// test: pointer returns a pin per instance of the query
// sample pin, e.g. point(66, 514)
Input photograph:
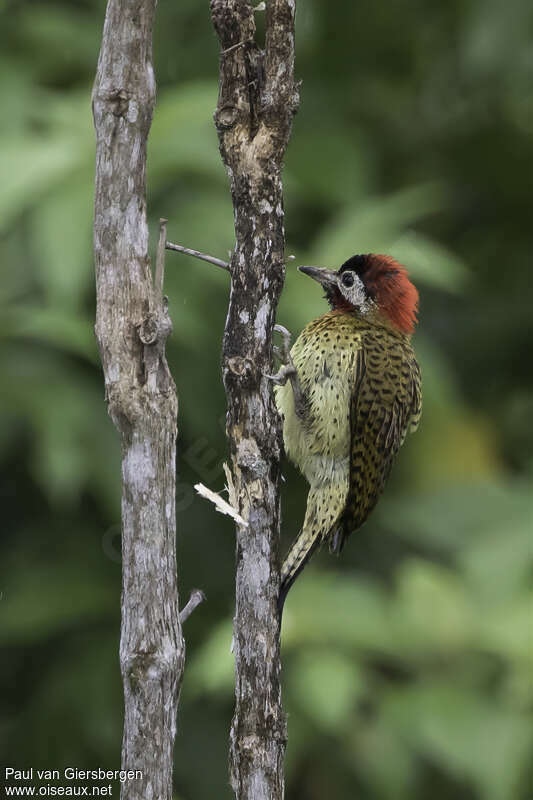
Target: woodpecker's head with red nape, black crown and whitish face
point(370, 284)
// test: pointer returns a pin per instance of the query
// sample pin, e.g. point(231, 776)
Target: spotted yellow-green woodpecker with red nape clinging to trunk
point(348, 392)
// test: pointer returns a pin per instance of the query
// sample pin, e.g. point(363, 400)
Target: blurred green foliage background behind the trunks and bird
point(407, 664)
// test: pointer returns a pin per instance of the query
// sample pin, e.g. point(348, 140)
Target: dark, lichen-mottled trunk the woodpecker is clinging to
point(257, 99)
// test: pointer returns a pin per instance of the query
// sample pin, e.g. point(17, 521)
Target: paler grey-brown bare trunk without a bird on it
point(132, 325)
